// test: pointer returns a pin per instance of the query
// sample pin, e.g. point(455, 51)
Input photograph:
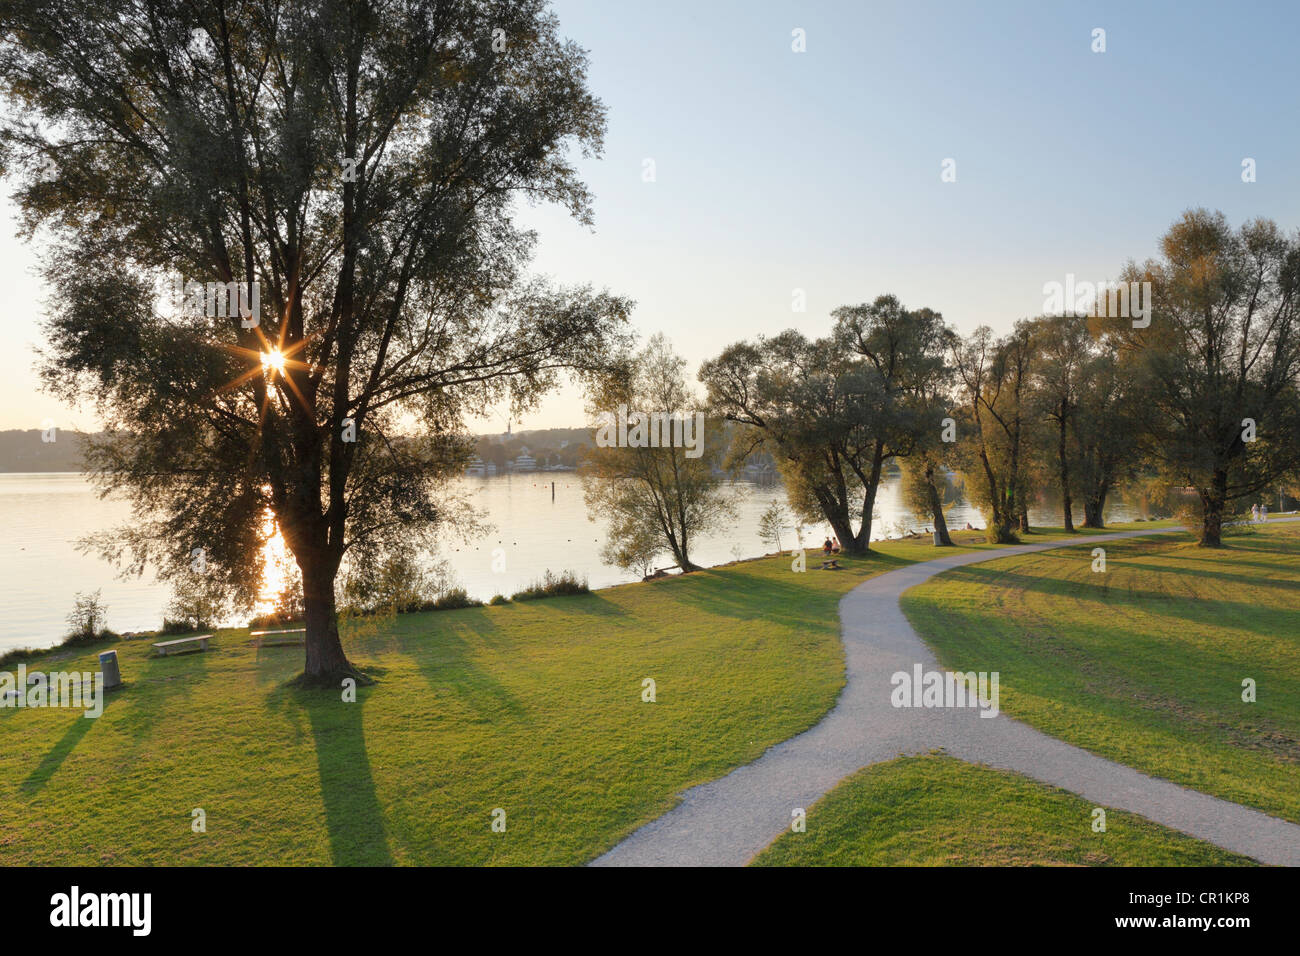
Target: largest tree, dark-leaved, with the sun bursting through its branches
point(361, 163)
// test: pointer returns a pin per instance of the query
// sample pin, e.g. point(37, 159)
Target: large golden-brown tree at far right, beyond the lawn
point(1221, 358)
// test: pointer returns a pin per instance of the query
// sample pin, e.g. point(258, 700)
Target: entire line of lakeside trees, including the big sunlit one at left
point(362, 165)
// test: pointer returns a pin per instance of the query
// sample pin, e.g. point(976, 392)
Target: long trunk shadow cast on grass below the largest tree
point(353, 815)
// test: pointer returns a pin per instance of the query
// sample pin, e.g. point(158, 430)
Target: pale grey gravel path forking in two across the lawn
point(726, 823)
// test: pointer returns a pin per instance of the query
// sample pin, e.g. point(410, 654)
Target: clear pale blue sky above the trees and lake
point(821, 171)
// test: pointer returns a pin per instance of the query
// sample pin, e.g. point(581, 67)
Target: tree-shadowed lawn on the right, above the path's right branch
point(1143, 664)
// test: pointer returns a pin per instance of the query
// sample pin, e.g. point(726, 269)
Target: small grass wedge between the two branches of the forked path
point(937, 811)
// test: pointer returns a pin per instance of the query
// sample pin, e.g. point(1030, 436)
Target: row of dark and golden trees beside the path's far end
point(1204, 399)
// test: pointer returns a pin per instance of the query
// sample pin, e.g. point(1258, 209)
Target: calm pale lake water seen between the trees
point(44, 516)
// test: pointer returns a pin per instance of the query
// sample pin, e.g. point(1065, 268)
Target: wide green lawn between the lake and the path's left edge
point(534, 708)
